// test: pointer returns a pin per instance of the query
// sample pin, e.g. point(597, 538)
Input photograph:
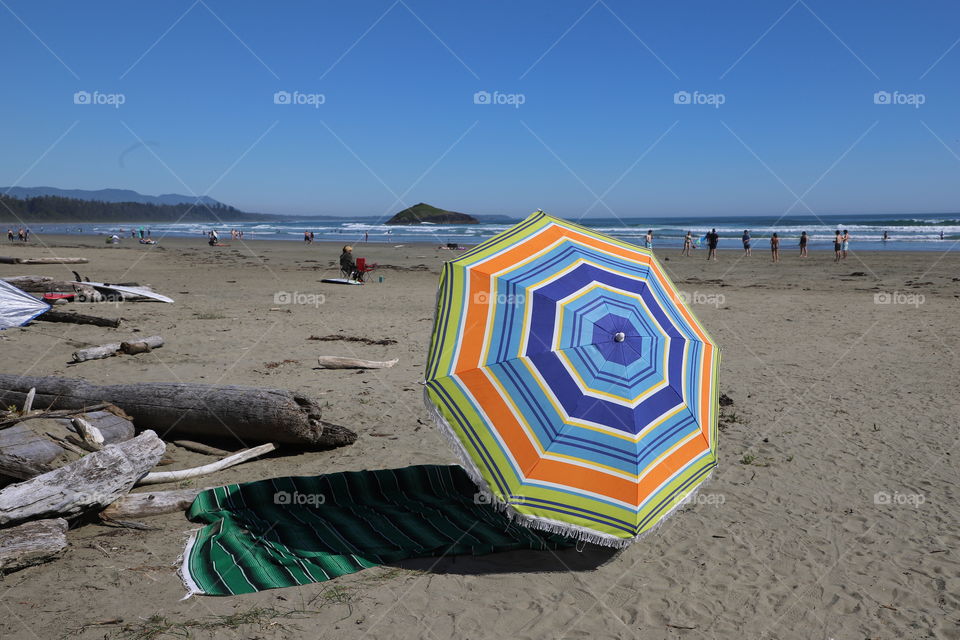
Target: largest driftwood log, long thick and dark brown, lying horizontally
point(249, 414)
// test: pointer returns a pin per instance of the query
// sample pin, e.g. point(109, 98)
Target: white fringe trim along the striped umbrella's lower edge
point(581, 534)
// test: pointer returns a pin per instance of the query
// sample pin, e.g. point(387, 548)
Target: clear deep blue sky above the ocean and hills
point(599, 129)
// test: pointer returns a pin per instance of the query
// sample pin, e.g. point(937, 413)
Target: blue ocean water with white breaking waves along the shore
point(905, 232)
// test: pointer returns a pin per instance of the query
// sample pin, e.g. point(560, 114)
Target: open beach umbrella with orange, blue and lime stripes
point(576, 385)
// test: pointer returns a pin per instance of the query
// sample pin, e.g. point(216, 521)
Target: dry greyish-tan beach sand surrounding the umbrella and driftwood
point(836, 399)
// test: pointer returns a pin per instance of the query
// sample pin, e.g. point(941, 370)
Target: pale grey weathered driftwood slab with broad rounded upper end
point(92, 482)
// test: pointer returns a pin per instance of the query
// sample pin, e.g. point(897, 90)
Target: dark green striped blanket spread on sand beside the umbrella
point(293, 531)
